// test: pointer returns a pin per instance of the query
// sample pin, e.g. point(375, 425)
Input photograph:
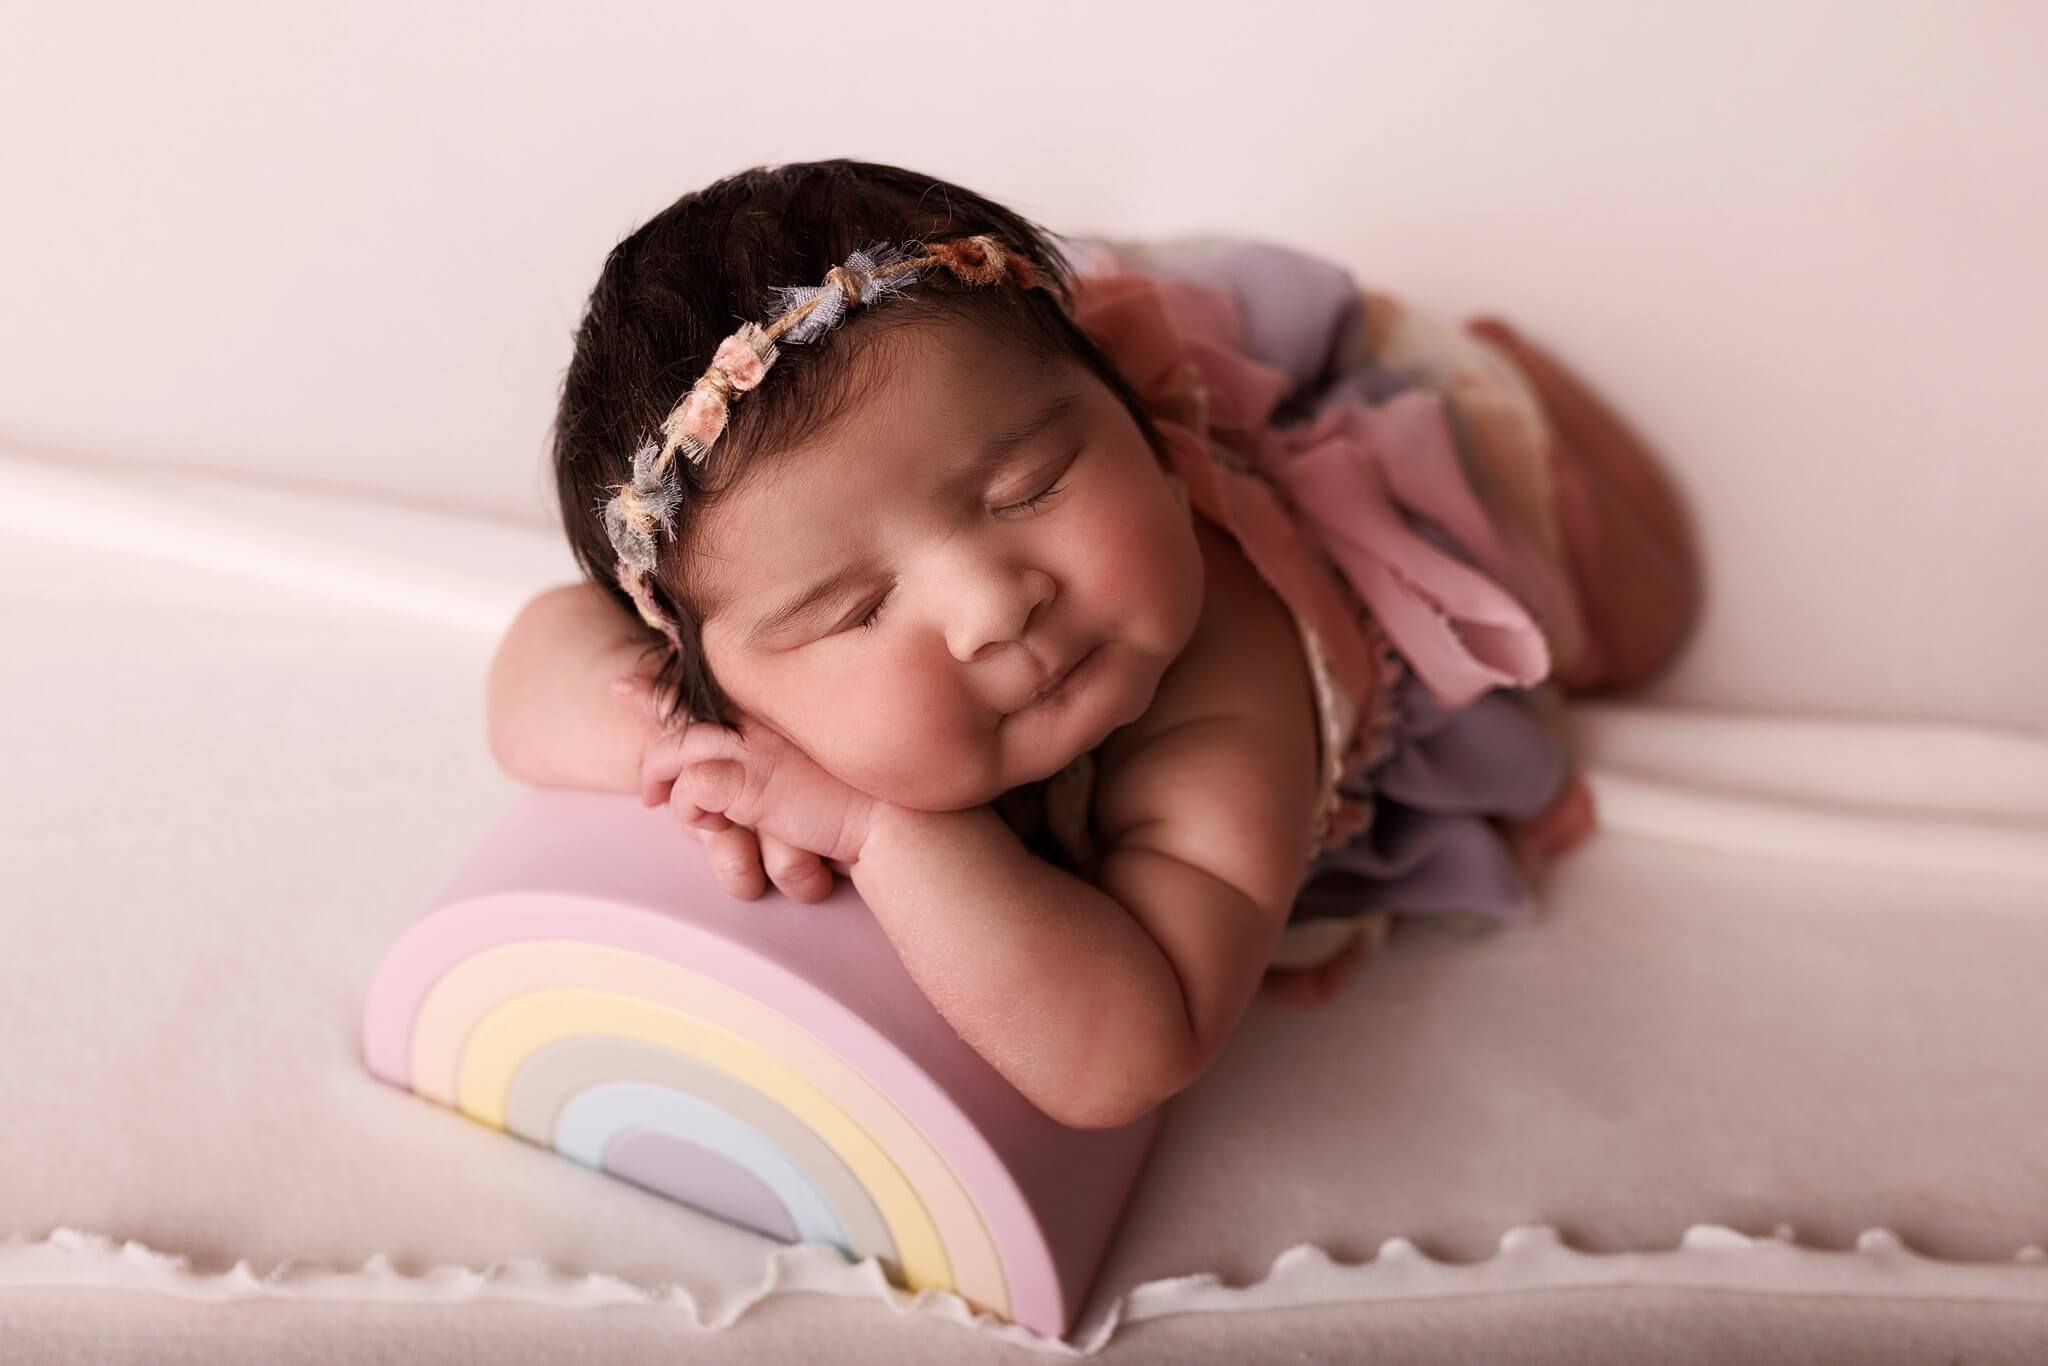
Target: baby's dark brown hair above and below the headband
point(683, 282)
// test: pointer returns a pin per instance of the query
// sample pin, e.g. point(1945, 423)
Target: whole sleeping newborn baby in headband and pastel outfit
point(959, 577)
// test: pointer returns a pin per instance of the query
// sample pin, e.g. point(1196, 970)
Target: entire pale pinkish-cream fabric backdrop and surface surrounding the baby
point(1795, 982)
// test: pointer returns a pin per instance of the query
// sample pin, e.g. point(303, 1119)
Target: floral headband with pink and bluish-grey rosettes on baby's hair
point(697, 421)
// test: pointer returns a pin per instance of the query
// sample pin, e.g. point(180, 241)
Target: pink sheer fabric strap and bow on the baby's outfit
point(1342, 478)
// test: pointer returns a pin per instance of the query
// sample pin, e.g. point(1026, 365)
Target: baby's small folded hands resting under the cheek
point(763, 810)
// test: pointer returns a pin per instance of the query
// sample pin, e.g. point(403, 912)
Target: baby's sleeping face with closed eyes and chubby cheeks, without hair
point(951, 599)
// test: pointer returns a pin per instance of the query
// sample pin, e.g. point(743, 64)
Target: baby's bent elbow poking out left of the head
point(550, 712)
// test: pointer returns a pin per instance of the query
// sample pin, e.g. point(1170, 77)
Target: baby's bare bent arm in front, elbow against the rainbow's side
point(1099, 1002)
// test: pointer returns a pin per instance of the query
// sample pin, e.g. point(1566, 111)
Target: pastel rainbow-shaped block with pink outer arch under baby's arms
point(585, 984)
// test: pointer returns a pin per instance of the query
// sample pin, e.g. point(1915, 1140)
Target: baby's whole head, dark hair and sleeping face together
point(914, 523)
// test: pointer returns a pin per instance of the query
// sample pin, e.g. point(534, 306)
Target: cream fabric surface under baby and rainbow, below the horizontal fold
point(1787, 998)
